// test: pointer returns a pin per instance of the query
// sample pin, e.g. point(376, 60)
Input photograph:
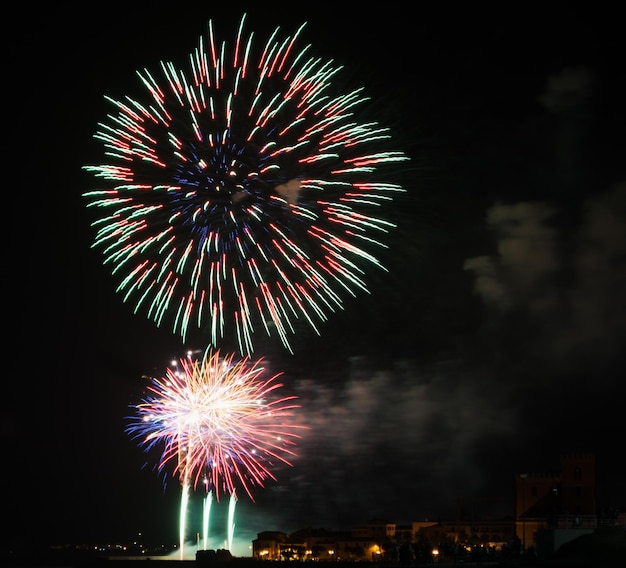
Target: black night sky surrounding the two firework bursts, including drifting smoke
point(494, 342)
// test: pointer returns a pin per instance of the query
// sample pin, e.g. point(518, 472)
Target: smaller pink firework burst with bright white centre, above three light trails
point(218, 421)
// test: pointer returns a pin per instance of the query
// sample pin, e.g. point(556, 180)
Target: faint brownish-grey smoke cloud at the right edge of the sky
point(572, 292)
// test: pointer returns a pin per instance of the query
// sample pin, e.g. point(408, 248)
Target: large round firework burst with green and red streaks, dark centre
point(242, 194)
